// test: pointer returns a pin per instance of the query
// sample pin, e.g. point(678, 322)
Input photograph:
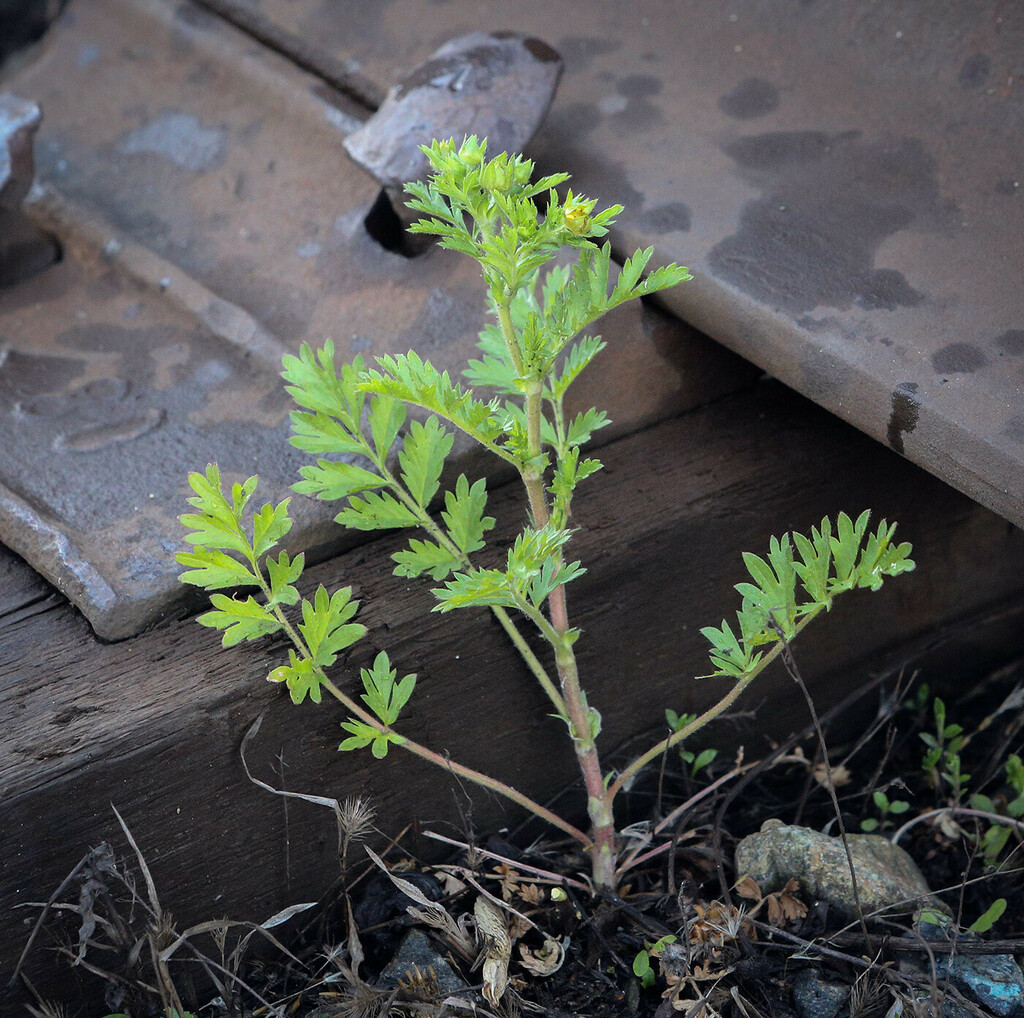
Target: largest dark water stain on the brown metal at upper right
point(829, 202)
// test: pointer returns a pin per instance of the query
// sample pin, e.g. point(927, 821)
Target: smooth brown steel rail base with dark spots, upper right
point(846, 180)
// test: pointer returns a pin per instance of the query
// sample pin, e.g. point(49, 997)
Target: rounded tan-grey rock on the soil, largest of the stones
point(887, 877)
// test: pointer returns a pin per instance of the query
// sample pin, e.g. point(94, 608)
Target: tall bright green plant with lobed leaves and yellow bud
point(355, 418)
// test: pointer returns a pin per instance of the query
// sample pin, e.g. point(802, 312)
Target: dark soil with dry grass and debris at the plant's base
point(738, 951)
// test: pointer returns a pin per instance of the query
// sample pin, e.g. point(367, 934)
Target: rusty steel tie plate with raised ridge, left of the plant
point(209, 222)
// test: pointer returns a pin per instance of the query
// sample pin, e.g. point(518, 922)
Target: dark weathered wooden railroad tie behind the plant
point(153, 726)
